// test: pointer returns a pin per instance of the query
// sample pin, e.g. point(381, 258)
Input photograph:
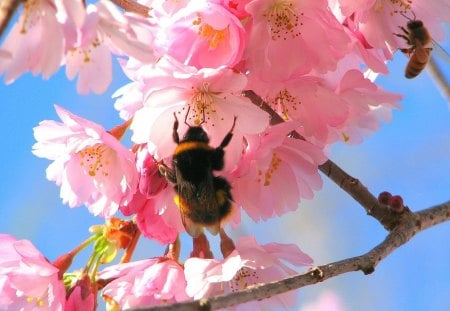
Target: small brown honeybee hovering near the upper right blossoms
point(418, 38)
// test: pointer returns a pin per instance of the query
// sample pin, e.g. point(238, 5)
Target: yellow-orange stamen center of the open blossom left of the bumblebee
point(94, 161)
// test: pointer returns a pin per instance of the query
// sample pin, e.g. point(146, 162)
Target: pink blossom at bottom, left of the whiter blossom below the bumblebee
point(144, 283)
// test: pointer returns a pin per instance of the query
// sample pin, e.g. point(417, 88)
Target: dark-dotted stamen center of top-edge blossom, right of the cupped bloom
point(283, 20)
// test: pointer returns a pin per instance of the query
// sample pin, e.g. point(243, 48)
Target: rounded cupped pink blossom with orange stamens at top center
point(201, 34)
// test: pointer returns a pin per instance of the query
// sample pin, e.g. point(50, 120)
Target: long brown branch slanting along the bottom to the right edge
point(409, 224)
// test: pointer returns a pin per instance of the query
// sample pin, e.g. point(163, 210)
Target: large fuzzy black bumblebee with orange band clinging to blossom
point(203, 199)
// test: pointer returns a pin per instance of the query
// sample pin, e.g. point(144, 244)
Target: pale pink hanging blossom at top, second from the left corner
point(100, 30)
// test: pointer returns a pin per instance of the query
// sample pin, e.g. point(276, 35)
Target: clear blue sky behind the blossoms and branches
point(409, 156)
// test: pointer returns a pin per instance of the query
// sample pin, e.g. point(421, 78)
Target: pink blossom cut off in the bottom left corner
point(27, 280)
